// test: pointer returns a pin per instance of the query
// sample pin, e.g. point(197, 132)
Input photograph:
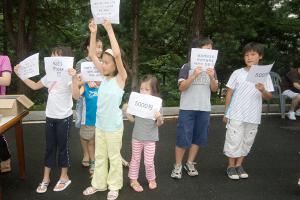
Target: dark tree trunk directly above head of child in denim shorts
point(198, 19)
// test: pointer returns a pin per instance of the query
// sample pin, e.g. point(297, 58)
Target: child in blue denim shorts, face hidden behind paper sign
point(195, 86)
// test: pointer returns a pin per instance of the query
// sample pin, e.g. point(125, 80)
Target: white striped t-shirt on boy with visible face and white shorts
point(246, 101)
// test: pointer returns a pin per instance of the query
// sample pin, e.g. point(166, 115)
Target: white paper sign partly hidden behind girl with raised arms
point(89, 72)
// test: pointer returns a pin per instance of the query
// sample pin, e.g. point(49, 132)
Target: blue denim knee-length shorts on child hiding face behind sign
point(192, 128)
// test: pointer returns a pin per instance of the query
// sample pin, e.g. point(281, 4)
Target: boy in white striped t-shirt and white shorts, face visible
point(243, 107)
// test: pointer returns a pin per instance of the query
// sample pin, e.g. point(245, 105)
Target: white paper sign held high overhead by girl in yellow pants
point(105, 9)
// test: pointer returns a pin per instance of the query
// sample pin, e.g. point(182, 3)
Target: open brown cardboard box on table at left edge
point(14, 104)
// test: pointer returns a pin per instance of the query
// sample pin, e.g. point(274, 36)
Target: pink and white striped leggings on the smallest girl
point(149, 152)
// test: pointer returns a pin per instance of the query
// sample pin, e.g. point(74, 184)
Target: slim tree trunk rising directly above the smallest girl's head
point(135, 45)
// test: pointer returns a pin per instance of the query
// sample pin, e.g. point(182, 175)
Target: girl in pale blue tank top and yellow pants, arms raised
point(108, 171)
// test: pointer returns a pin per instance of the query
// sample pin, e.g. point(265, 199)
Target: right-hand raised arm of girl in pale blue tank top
point(122, 74)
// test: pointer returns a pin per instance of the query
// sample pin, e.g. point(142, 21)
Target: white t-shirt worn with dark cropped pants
point(59, 103)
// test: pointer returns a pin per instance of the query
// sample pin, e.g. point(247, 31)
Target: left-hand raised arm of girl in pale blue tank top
point(92, 51)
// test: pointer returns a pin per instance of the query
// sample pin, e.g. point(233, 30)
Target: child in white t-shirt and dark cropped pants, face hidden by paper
point(58, 122)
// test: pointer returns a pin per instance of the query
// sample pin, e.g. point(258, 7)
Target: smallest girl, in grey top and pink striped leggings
point(144, 137)
